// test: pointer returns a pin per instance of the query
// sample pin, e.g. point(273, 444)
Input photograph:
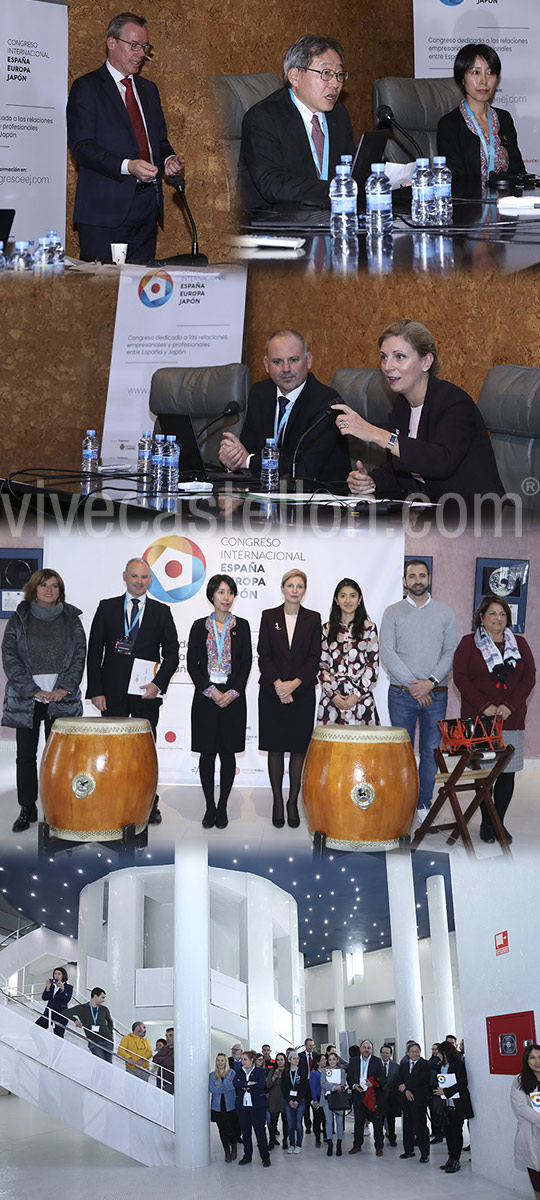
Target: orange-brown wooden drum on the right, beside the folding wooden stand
point(361, 785)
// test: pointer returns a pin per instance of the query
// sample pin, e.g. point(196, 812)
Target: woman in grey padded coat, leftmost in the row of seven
point(44, 653)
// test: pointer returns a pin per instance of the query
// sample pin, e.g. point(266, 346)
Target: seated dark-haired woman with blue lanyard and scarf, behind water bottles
point(479, 141)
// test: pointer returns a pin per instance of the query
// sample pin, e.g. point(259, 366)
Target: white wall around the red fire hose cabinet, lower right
point(491, 897)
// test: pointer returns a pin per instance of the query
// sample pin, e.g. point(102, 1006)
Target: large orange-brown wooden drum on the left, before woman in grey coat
point(98, 776)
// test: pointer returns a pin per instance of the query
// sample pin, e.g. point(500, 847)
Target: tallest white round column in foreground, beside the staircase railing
point(191, 1004)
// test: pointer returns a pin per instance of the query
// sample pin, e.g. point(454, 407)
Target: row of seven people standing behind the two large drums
point(44, 655)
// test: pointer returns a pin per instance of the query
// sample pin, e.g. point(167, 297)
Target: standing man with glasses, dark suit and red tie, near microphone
point(118, 135)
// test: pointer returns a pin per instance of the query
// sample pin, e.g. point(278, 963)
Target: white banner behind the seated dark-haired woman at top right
point(512, 28)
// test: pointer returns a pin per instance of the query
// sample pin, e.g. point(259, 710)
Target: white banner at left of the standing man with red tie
point(33, 116)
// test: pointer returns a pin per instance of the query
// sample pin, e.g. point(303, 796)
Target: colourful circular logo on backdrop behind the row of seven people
point(178, 567)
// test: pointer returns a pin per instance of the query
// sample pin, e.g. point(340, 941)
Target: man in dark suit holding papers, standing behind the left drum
point(127, 628)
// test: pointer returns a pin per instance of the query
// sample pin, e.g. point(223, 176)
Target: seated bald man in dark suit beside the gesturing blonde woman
point(286, 406)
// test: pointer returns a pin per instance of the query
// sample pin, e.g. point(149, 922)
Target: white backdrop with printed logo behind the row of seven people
point(257, 562)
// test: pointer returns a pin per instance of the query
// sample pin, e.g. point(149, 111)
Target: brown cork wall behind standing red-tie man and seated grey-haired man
point(226, 38)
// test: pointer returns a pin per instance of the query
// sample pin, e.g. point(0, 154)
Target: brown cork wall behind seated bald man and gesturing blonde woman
point(59, 335)
